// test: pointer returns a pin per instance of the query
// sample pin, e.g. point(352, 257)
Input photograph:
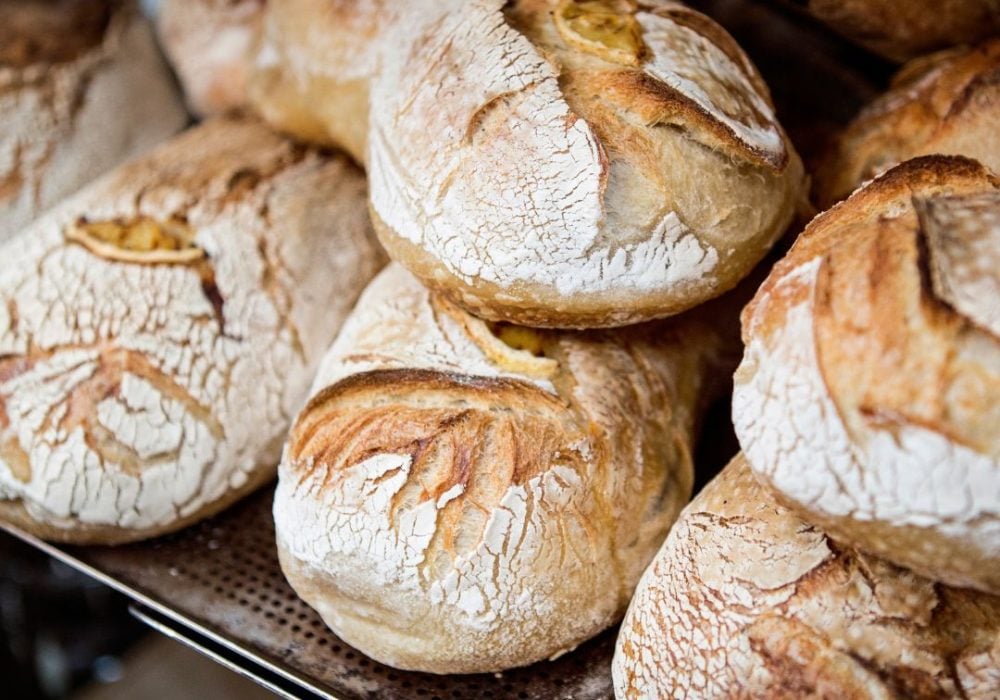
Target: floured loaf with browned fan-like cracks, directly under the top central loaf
point(458, 497)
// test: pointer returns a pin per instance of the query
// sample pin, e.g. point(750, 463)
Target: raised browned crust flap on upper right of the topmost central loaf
point(674, 67)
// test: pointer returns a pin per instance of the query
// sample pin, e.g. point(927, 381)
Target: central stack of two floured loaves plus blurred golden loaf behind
point(478, 480)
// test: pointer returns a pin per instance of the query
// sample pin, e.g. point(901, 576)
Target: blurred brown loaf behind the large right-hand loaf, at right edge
point(945, 103)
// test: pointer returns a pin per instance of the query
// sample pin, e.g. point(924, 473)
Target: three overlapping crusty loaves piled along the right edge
point(853, 549)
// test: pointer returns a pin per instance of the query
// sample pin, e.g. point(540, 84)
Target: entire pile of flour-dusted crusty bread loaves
point(482, 459)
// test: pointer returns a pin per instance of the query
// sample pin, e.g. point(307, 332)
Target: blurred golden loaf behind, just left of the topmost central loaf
point(314, 66)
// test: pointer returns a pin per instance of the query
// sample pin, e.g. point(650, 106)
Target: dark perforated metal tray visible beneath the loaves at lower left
point(217, 587)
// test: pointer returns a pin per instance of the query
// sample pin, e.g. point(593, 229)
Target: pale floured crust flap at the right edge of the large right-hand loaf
point(962, 235)
